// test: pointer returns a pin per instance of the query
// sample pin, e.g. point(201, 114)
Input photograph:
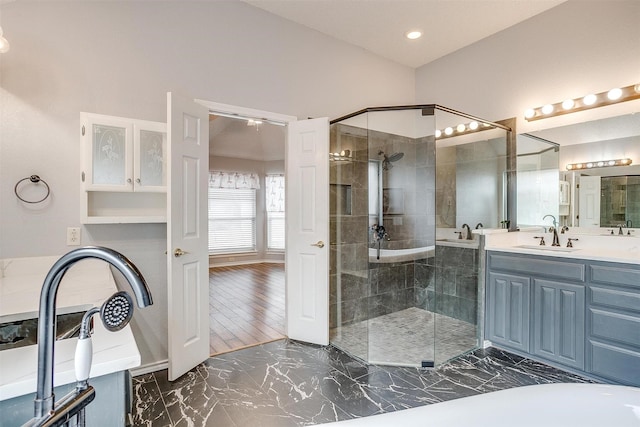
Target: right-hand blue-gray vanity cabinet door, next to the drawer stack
point(559, 322)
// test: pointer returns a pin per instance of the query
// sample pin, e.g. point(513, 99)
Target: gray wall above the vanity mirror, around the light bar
point(571, 50)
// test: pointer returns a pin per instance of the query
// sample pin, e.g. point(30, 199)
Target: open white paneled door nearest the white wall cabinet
point(187, 233)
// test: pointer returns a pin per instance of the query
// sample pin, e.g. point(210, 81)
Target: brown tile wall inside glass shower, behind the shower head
point(361, 290)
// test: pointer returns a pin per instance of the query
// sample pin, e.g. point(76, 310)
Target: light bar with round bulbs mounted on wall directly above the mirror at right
point(587, 102)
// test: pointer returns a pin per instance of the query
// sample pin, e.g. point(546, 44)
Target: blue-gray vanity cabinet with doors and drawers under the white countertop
point(582, 314)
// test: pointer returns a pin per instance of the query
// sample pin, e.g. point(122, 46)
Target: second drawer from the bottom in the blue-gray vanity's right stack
point(611, 326)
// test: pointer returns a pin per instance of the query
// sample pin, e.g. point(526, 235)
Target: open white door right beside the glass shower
point(307, 231)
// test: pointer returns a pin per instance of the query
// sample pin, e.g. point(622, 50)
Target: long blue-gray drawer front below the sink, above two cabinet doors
point(538, 266)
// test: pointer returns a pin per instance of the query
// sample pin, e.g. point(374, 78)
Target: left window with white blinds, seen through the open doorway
point(232, 218)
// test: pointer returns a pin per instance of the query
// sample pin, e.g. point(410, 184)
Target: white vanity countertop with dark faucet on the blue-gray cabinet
point(621, 249)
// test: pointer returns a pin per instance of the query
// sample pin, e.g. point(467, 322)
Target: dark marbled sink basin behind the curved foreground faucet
point(21, 333)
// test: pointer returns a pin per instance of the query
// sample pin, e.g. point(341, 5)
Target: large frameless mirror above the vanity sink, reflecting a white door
point(598, 196)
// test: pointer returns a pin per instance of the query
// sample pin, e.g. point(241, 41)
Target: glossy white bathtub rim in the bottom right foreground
point(548, 405)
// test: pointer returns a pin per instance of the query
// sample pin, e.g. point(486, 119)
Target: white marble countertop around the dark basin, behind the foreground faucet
point(87, 284)
